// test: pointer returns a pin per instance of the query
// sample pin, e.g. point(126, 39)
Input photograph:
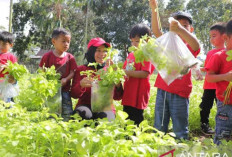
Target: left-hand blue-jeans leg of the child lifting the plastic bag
point(162, 115)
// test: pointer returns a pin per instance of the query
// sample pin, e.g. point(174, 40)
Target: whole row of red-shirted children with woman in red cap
point(172, 101)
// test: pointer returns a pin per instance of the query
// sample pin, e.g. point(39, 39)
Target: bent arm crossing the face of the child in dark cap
point(187, 36)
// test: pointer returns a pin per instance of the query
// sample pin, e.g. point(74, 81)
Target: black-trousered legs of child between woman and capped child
point(134, 114)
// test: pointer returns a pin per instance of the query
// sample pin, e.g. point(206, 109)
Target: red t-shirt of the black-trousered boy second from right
point(208, 85)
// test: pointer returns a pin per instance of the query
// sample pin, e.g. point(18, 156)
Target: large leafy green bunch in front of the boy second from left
point(35, 89)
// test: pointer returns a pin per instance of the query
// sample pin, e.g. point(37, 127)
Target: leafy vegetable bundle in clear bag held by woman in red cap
point(103, 85)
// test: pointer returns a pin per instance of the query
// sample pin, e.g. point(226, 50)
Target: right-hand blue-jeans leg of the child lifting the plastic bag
point(179, 110)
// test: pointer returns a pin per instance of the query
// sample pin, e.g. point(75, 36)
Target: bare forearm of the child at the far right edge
point(212, 77)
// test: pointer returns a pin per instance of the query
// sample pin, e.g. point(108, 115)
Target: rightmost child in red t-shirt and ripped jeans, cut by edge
point(219, 71)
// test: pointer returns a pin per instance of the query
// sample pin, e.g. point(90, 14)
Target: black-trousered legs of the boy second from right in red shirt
point(206, 104)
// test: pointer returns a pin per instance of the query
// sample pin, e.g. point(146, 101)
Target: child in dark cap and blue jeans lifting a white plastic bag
point(172, 101)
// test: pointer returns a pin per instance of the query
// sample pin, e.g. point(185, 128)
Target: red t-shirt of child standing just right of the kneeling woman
point(137, 90)
